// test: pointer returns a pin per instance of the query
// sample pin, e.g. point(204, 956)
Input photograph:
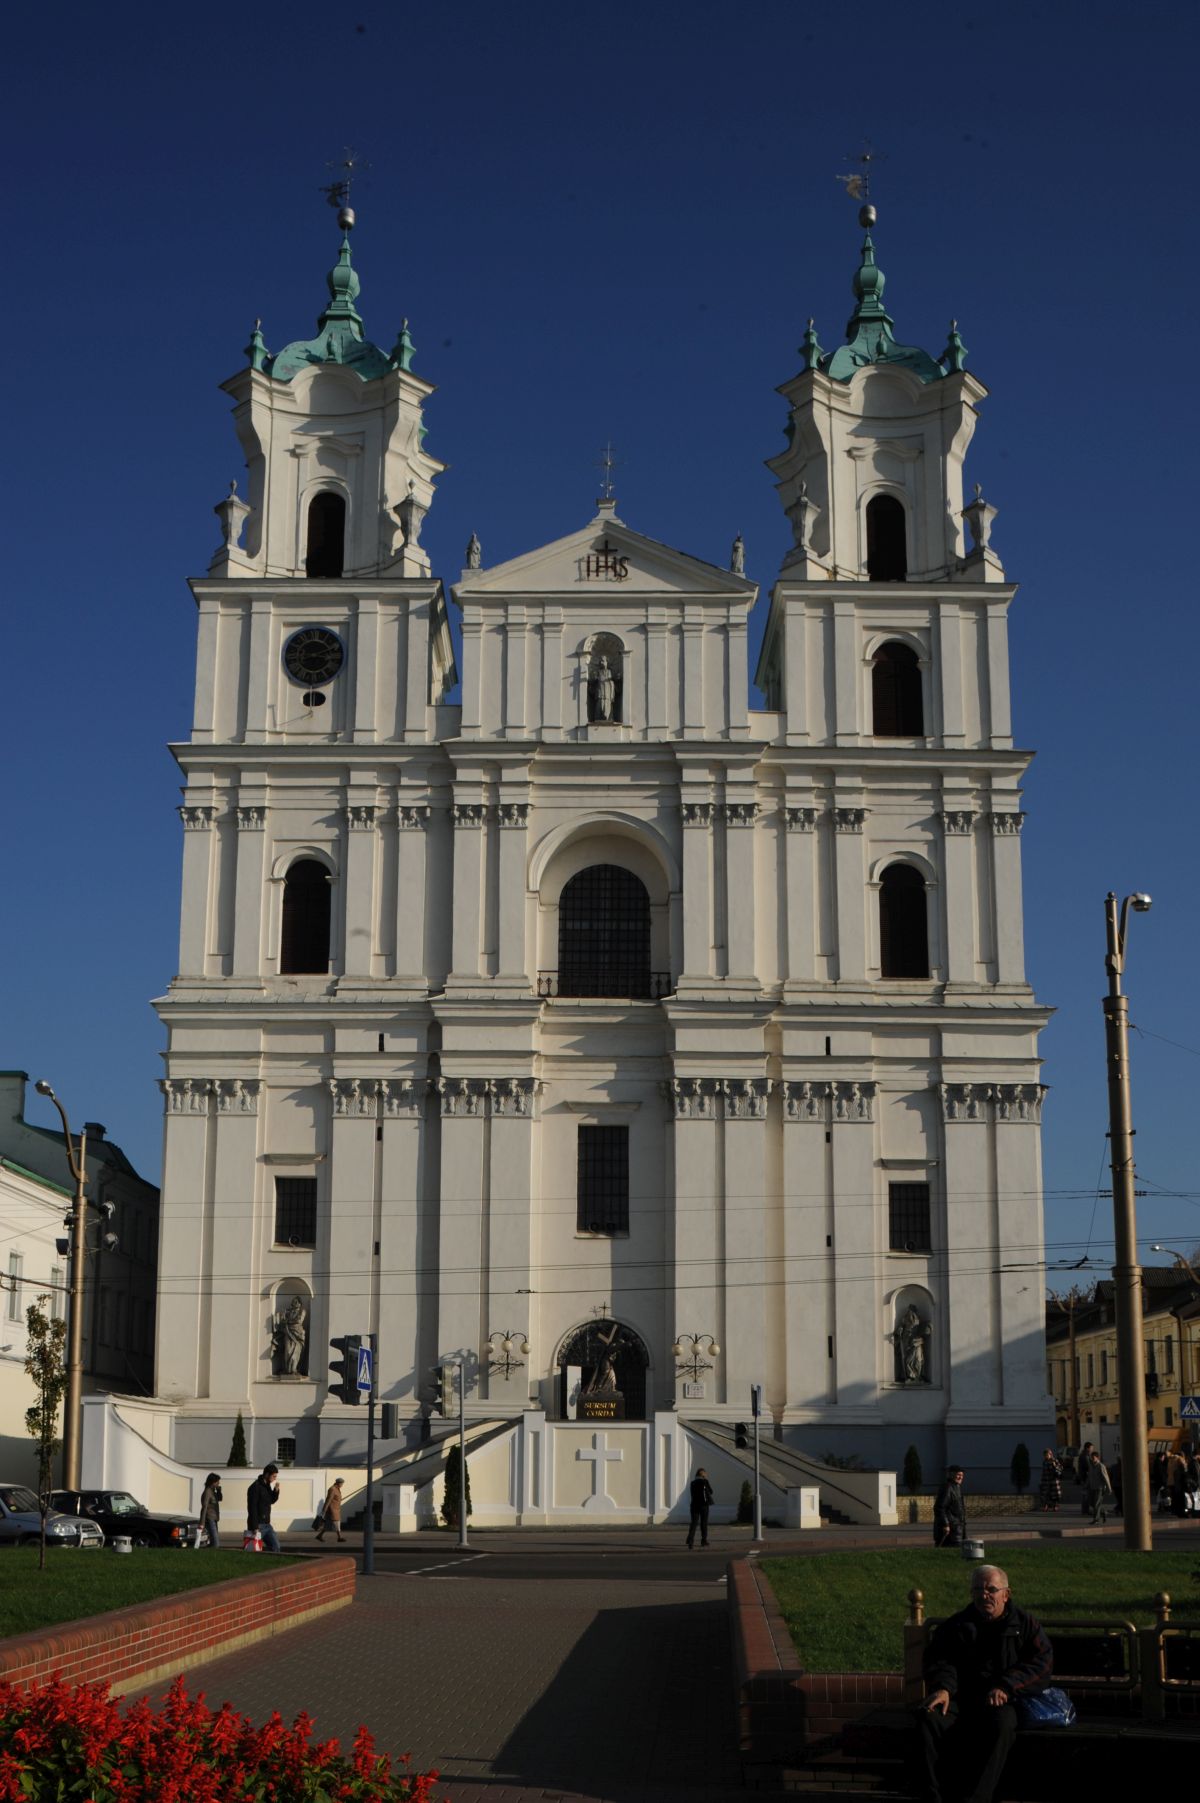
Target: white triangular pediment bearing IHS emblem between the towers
point(610, 556)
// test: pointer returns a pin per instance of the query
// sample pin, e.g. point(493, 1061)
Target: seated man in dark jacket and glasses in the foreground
point(976, 1665)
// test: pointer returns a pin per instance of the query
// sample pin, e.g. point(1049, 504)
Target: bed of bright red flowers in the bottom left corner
point(59, 1741)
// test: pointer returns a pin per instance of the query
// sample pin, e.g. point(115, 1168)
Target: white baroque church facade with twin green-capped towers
point(558, 1012)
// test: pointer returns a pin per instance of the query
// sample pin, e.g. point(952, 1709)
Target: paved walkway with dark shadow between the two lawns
point(599, 1690)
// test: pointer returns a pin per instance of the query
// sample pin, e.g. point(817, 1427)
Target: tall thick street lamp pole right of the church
point(1127, 1272)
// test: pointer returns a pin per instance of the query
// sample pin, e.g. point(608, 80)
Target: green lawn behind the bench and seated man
point(846, 1611)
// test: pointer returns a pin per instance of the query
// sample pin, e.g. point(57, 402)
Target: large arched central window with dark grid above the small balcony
point(605, 935)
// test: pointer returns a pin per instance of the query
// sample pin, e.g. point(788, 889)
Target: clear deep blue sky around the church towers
point(608, 224)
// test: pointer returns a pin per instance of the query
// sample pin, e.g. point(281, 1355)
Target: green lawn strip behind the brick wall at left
point(87, 1584)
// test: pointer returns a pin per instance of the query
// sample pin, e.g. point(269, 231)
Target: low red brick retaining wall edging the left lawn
point(149, 1642)
